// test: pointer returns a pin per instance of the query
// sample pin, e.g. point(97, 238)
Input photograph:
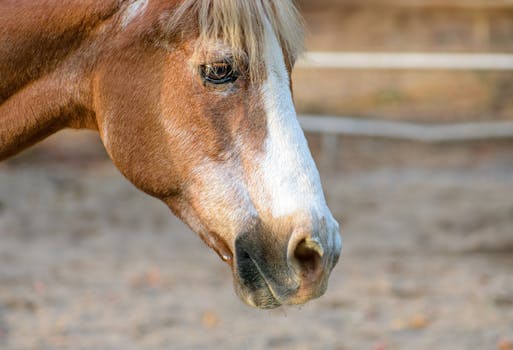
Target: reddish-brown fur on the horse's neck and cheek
point(71, 65)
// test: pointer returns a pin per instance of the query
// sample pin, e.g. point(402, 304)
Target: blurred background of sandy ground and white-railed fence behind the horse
point(423, 193)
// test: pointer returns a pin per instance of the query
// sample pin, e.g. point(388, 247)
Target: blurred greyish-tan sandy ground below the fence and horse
point(88, 262)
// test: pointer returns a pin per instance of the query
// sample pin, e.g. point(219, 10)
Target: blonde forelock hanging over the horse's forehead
point(240, 25)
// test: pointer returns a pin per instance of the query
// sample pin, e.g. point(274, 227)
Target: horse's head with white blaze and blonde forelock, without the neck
point(198, 111)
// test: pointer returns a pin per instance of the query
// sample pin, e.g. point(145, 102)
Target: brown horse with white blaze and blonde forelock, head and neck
point(192, 100)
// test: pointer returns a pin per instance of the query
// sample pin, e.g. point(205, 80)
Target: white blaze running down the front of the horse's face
point(290, 177)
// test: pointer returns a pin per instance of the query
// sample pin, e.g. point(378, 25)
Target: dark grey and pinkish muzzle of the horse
point(269, 272)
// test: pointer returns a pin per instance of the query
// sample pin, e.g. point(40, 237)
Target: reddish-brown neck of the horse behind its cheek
point(43, 85)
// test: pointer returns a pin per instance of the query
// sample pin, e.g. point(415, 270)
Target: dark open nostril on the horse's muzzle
point(308, 256)
